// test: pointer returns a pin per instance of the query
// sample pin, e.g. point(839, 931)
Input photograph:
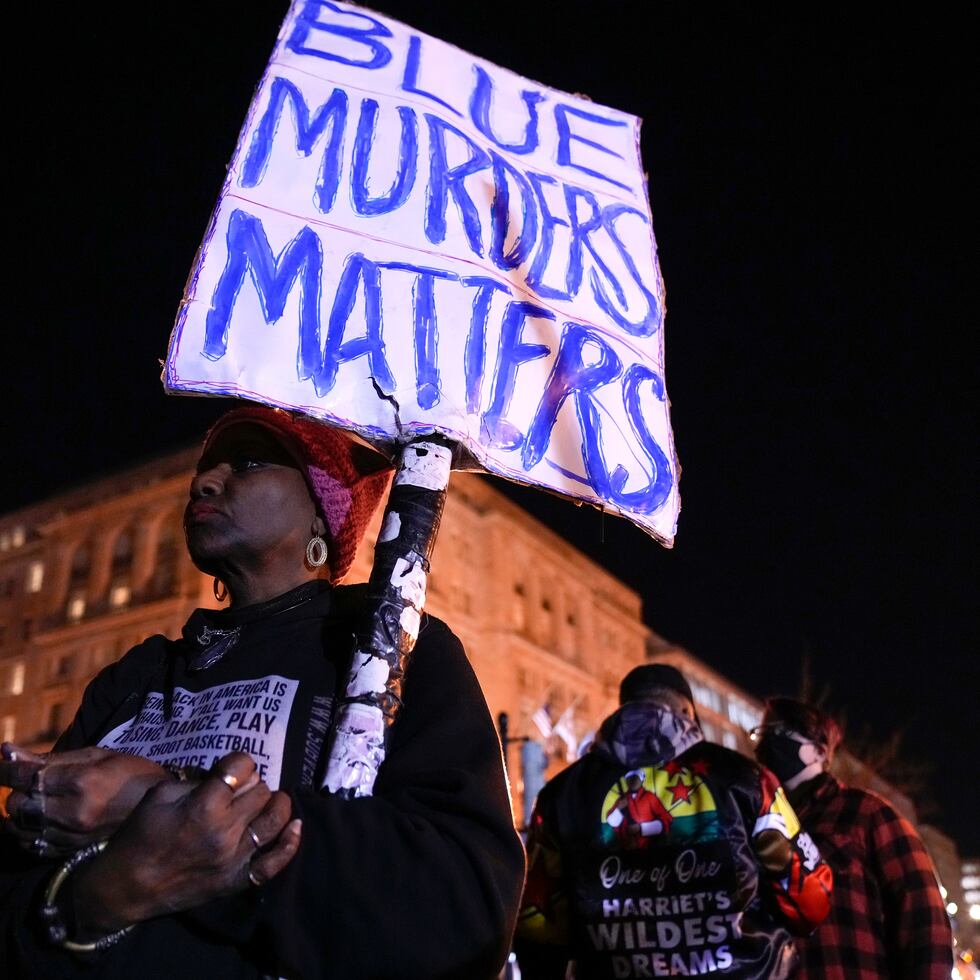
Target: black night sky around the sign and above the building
point(809, 176)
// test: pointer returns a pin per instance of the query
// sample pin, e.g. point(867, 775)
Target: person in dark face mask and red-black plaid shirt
point(887, 919)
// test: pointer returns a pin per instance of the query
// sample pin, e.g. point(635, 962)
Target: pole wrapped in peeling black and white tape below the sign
point(396, 595)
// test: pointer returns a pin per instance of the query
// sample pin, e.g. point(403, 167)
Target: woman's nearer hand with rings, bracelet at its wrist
point(183, 846)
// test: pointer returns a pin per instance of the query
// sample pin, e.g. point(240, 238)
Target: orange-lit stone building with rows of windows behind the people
point(89, 573)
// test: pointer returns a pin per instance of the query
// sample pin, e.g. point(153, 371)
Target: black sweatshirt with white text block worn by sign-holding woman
point(421, 880)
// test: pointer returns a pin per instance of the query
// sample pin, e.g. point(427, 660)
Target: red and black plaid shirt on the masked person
point(887, 917)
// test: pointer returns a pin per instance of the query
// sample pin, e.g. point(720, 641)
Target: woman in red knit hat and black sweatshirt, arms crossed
point(178, 827)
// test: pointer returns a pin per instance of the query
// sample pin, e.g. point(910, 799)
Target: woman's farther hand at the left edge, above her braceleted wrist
point(65, 800)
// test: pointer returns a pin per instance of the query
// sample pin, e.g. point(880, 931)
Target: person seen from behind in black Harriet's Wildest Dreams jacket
point(660, 854)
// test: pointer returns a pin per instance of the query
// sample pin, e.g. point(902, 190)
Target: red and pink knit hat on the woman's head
point(346, 479)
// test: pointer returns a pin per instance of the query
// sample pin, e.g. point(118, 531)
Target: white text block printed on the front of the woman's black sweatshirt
point(242, 716)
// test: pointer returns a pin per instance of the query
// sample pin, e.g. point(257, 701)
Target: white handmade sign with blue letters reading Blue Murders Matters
point(411, 239)
